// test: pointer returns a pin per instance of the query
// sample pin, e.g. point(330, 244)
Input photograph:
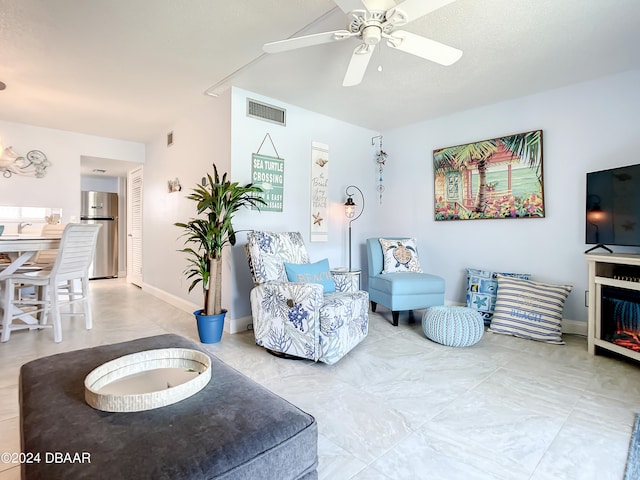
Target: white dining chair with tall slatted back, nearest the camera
point(70, 270)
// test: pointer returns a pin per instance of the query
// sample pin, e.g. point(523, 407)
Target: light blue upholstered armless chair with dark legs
point(401, 290)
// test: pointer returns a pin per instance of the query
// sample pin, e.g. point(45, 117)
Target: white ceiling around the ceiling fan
point(128, 69)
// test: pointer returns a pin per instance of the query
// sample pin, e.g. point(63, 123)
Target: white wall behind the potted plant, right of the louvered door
point(200, 138)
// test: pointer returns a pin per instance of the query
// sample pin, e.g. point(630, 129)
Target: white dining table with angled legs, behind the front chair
point(20, 249)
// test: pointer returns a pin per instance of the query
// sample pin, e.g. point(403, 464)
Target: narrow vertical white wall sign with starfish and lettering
point(319, 192)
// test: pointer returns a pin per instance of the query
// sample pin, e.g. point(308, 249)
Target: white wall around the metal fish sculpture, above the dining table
point(60, 187)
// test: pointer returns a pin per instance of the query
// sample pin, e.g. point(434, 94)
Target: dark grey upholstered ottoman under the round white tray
point(232, 429)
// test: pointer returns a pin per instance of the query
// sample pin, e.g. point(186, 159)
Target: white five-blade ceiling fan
point(371, 21)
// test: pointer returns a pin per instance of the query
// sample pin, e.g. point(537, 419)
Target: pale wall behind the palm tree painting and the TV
point(586, 127)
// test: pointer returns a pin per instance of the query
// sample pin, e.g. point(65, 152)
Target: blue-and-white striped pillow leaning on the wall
point(529, 309)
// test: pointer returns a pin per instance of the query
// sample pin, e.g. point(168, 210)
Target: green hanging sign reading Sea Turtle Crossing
point(268, 173)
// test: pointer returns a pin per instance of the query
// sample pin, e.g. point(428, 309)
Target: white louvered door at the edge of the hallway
point(134, 227)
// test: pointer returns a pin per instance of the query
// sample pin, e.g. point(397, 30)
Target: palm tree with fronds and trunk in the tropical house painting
point(525, 146)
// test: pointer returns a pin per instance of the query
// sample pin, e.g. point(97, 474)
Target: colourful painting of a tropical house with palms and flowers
point(497, 178)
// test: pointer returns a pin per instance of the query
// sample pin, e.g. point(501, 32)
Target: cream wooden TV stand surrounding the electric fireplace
point(617, 271)
